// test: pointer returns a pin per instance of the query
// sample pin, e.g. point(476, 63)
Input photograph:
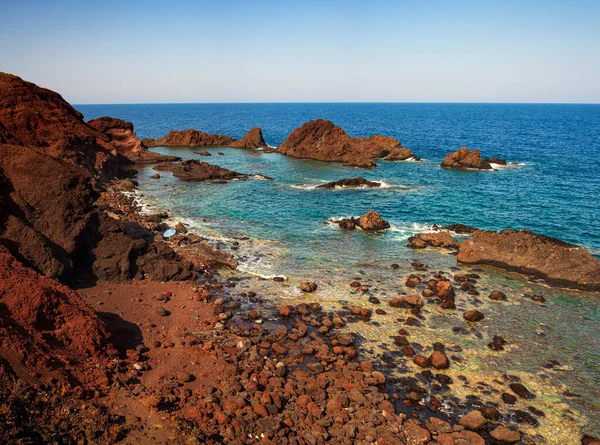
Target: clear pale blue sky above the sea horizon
point(306, 51)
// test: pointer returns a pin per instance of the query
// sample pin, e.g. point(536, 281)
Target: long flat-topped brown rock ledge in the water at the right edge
point(557, 262)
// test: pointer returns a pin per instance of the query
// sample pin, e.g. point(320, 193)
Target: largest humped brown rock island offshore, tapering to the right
point(322, 140)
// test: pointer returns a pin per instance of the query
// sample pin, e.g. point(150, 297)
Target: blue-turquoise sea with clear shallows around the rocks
point(286, 227)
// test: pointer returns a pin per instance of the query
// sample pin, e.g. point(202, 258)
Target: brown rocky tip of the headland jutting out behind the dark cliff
point(123, 140)
